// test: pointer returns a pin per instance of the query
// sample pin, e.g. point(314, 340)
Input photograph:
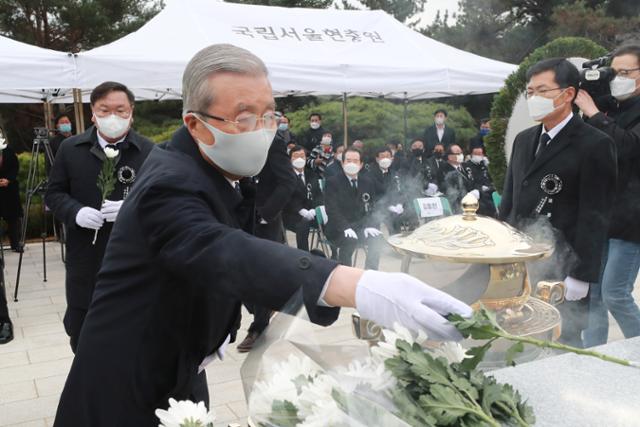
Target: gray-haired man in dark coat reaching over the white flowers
point(179, 260)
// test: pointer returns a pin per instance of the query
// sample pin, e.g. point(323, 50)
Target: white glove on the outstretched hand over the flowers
point(387, 298)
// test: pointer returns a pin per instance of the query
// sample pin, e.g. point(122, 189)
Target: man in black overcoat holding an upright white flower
point(75, 200)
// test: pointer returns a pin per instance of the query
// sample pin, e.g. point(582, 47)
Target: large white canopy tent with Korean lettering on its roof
point(307, 51)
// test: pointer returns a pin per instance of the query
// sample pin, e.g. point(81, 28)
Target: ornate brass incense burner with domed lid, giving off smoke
point(492, 256)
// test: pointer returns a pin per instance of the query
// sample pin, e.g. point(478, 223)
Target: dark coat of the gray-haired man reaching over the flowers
point(176, 268)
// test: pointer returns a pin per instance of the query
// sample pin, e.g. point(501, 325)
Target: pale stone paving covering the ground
point(33, 367)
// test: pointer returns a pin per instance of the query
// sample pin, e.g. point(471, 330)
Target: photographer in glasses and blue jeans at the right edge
point(622, 259)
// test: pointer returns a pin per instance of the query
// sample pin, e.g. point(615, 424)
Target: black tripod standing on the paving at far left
point(35, 185)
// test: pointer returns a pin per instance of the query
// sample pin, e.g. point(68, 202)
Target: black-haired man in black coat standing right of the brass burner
point(562, 173)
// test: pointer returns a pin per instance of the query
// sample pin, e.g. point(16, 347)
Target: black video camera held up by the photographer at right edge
point(595, 77)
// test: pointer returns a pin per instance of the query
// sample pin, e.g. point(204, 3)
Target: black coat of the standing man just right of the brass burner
point(571, 184)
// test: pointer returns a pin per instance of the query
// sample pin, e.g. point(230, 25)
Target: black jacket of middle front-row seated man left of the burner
point(347, 208)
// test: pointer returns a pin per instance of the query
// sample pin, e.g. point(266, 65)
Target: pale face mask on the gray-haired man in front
point(242, 154)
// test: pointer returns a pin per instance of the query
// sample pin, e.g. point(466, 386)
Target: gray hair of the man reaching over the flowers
point(217, 58)
